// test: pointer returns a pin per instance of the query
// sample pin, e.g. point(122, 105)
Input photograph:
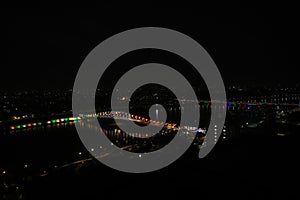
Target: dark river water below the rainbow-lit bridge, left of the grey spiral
point(39, 147)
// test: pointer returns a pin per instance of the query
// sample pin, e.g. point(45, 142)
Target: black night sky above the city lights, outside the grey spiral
point(44, 49)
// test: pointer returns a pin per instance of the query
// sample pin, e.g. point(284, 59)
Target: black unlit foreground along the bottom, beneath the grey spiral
point(264, 167)
